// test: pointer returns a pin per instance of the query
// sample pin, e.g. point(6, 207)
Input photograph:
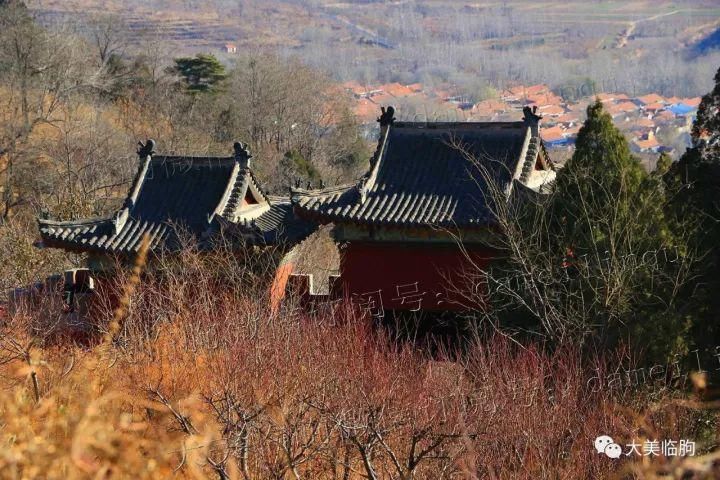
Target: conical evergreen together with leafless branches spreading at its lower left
point(596, 262)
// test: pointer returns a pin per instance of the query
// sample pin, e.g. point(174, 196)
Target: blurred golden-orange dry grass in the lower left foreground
point(65, 413)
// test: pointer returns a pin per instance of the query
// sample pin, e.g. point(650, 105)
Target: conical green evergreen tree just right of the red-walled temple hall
point(609, 213)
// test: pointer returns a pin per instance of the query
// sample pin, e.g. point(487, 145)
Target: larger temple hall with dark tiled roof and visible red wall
point(412, 225)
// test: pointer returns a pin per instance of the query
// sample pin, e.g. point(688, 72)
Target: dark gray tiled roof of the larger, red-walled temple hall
point(422, 175)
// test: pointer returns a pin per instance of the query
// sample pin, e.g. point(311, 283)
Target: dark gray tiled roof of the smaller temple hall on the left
point(170, 197)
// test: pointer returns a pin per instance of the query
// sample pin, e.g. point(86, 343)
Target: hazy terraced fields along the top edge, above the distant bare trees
point(288, 23)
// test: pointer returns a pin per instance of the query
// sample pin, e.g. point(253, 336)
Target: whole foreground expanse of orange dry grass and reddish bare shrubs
point(197, 380)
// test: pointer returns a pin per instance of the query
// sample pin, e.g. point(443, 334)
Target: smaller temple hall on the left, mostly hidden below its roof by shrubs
point(173, 200)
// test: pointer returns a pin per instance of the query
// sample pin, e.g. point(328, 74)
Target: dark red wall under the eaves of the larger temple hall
point(411, 277)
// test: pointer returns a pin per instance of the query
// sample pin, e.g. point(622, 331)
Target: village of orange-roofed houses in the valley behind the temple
point(652, 123)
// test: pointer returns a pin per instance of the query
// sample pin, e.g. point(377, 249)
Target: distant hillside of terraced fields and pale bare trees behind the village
point(625, 45)
